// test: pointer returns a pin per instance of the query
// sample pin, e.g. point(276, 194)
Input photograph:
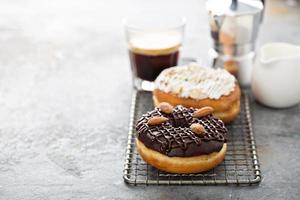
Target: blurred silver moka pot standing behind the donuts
point(234, 26)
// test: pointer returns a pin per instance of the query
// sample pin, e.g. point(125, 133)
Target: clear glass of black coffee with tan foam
point(153, 46)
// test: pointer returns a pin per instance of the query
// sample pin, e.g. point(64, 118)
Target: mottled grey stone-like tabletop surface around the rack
point(65, 93)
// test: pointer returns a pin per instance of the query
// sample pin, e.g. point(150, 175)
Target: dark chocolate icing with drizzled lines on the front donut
point(175, 138)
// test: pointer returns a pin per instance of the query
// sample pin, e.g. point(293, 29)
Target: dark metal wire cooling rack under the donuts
point(240, 166)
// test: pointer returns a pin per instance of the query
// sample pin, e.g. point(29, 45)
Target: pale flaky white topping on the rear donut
point(194, 81)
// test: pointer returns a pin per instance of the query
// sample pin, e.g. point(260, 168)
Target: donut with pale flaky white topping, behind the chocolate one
point(196, 86)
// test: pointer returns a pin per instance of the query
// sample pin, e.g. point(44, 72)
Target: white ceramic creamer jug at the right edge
point(276, 75)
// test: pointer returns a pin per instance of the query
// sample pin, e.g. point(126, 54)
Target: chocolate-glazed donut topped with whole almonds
point(181, 140)
